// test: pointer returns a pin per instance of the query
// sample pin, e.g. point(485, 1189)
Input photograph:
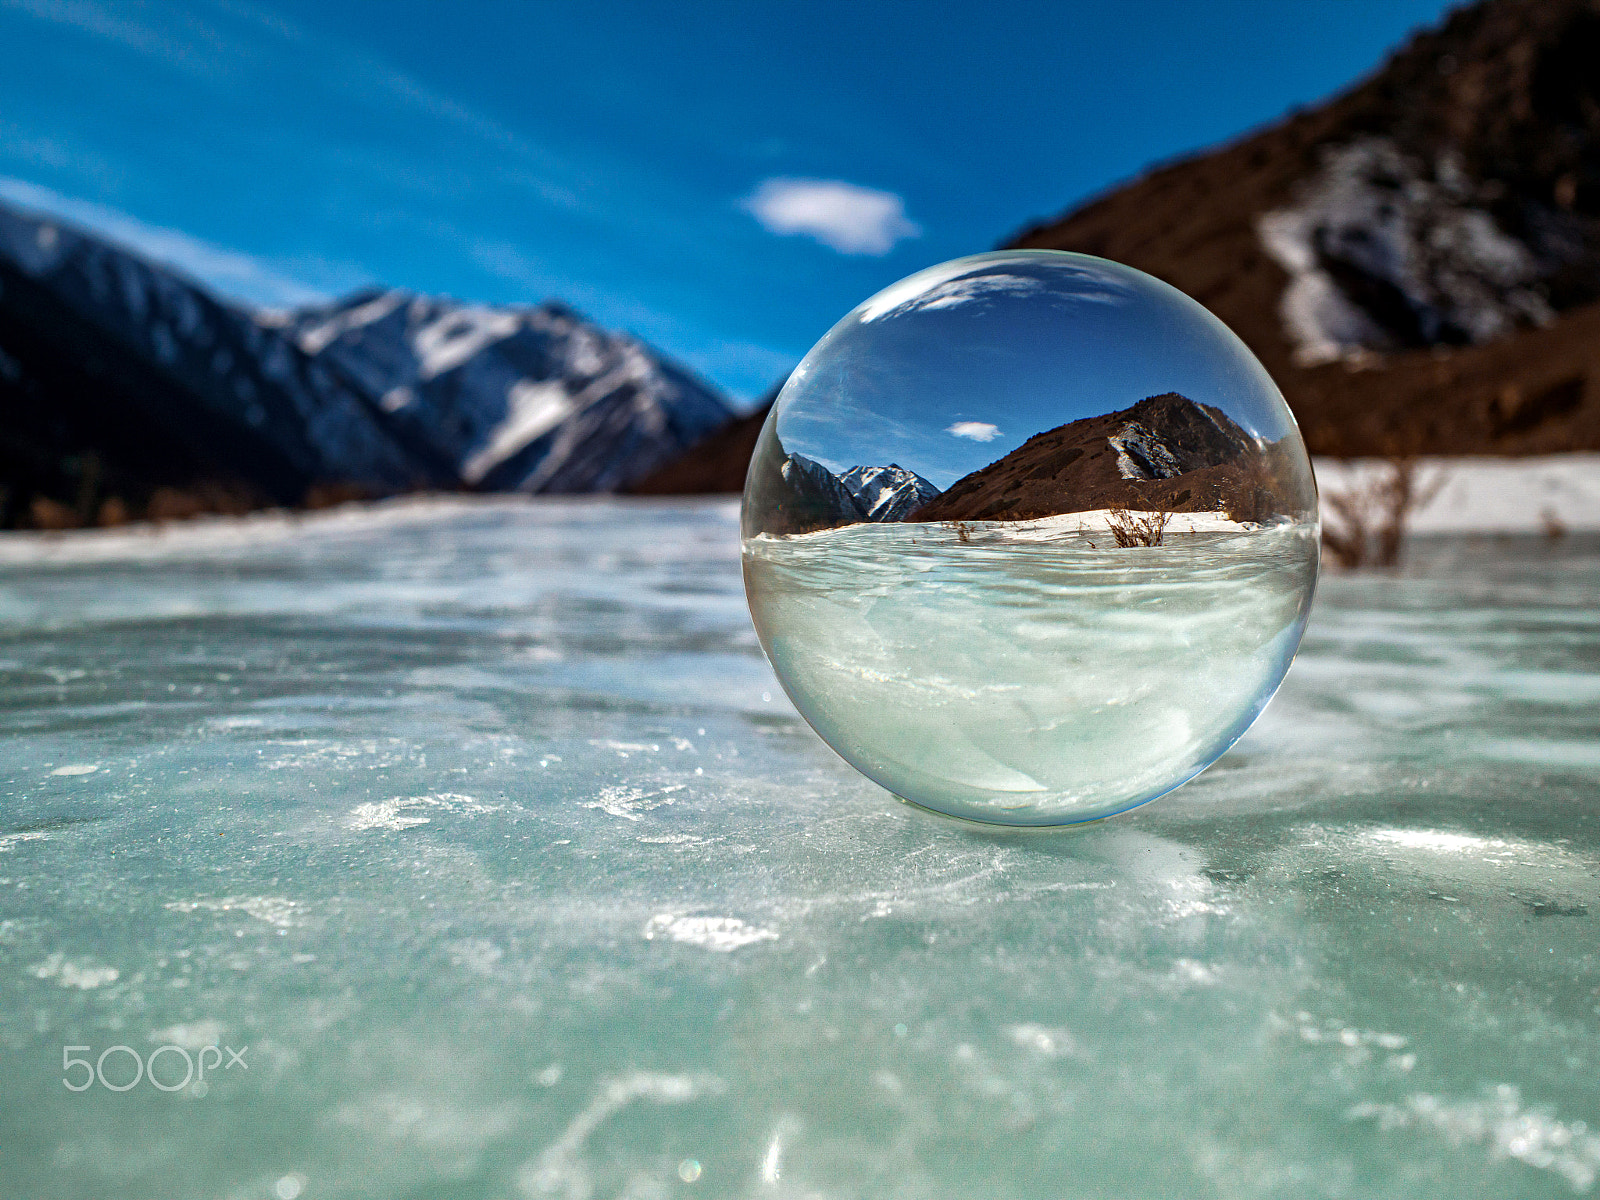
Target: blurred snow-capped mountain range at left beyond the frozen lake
point(121, 377)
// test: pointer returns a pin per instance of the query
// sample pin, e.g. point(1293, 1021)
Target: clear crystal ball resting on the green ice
point(1030, 538)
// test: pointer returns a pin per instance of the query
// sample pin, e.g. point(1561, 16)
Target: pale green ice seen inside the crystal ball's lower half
point(999, 676)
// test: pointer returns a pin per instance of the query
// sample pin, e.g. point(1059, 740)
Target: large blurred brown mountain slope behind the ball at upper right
point(1498, 113)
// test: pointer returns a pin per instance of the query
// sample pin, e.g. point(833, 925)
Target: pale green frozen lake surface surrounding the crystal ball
point(486, 838)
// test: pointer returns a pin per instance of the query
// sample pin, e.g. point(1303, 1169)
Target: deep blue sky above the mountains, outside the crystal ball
point(722, 180)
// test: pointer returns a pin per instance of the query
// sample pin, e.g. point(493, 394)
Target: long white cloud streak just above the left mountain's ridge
point(226, 271)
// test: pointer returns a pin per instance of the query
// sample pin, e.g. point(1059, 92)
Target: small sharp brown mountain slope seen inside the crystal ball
point(1166, 452)
